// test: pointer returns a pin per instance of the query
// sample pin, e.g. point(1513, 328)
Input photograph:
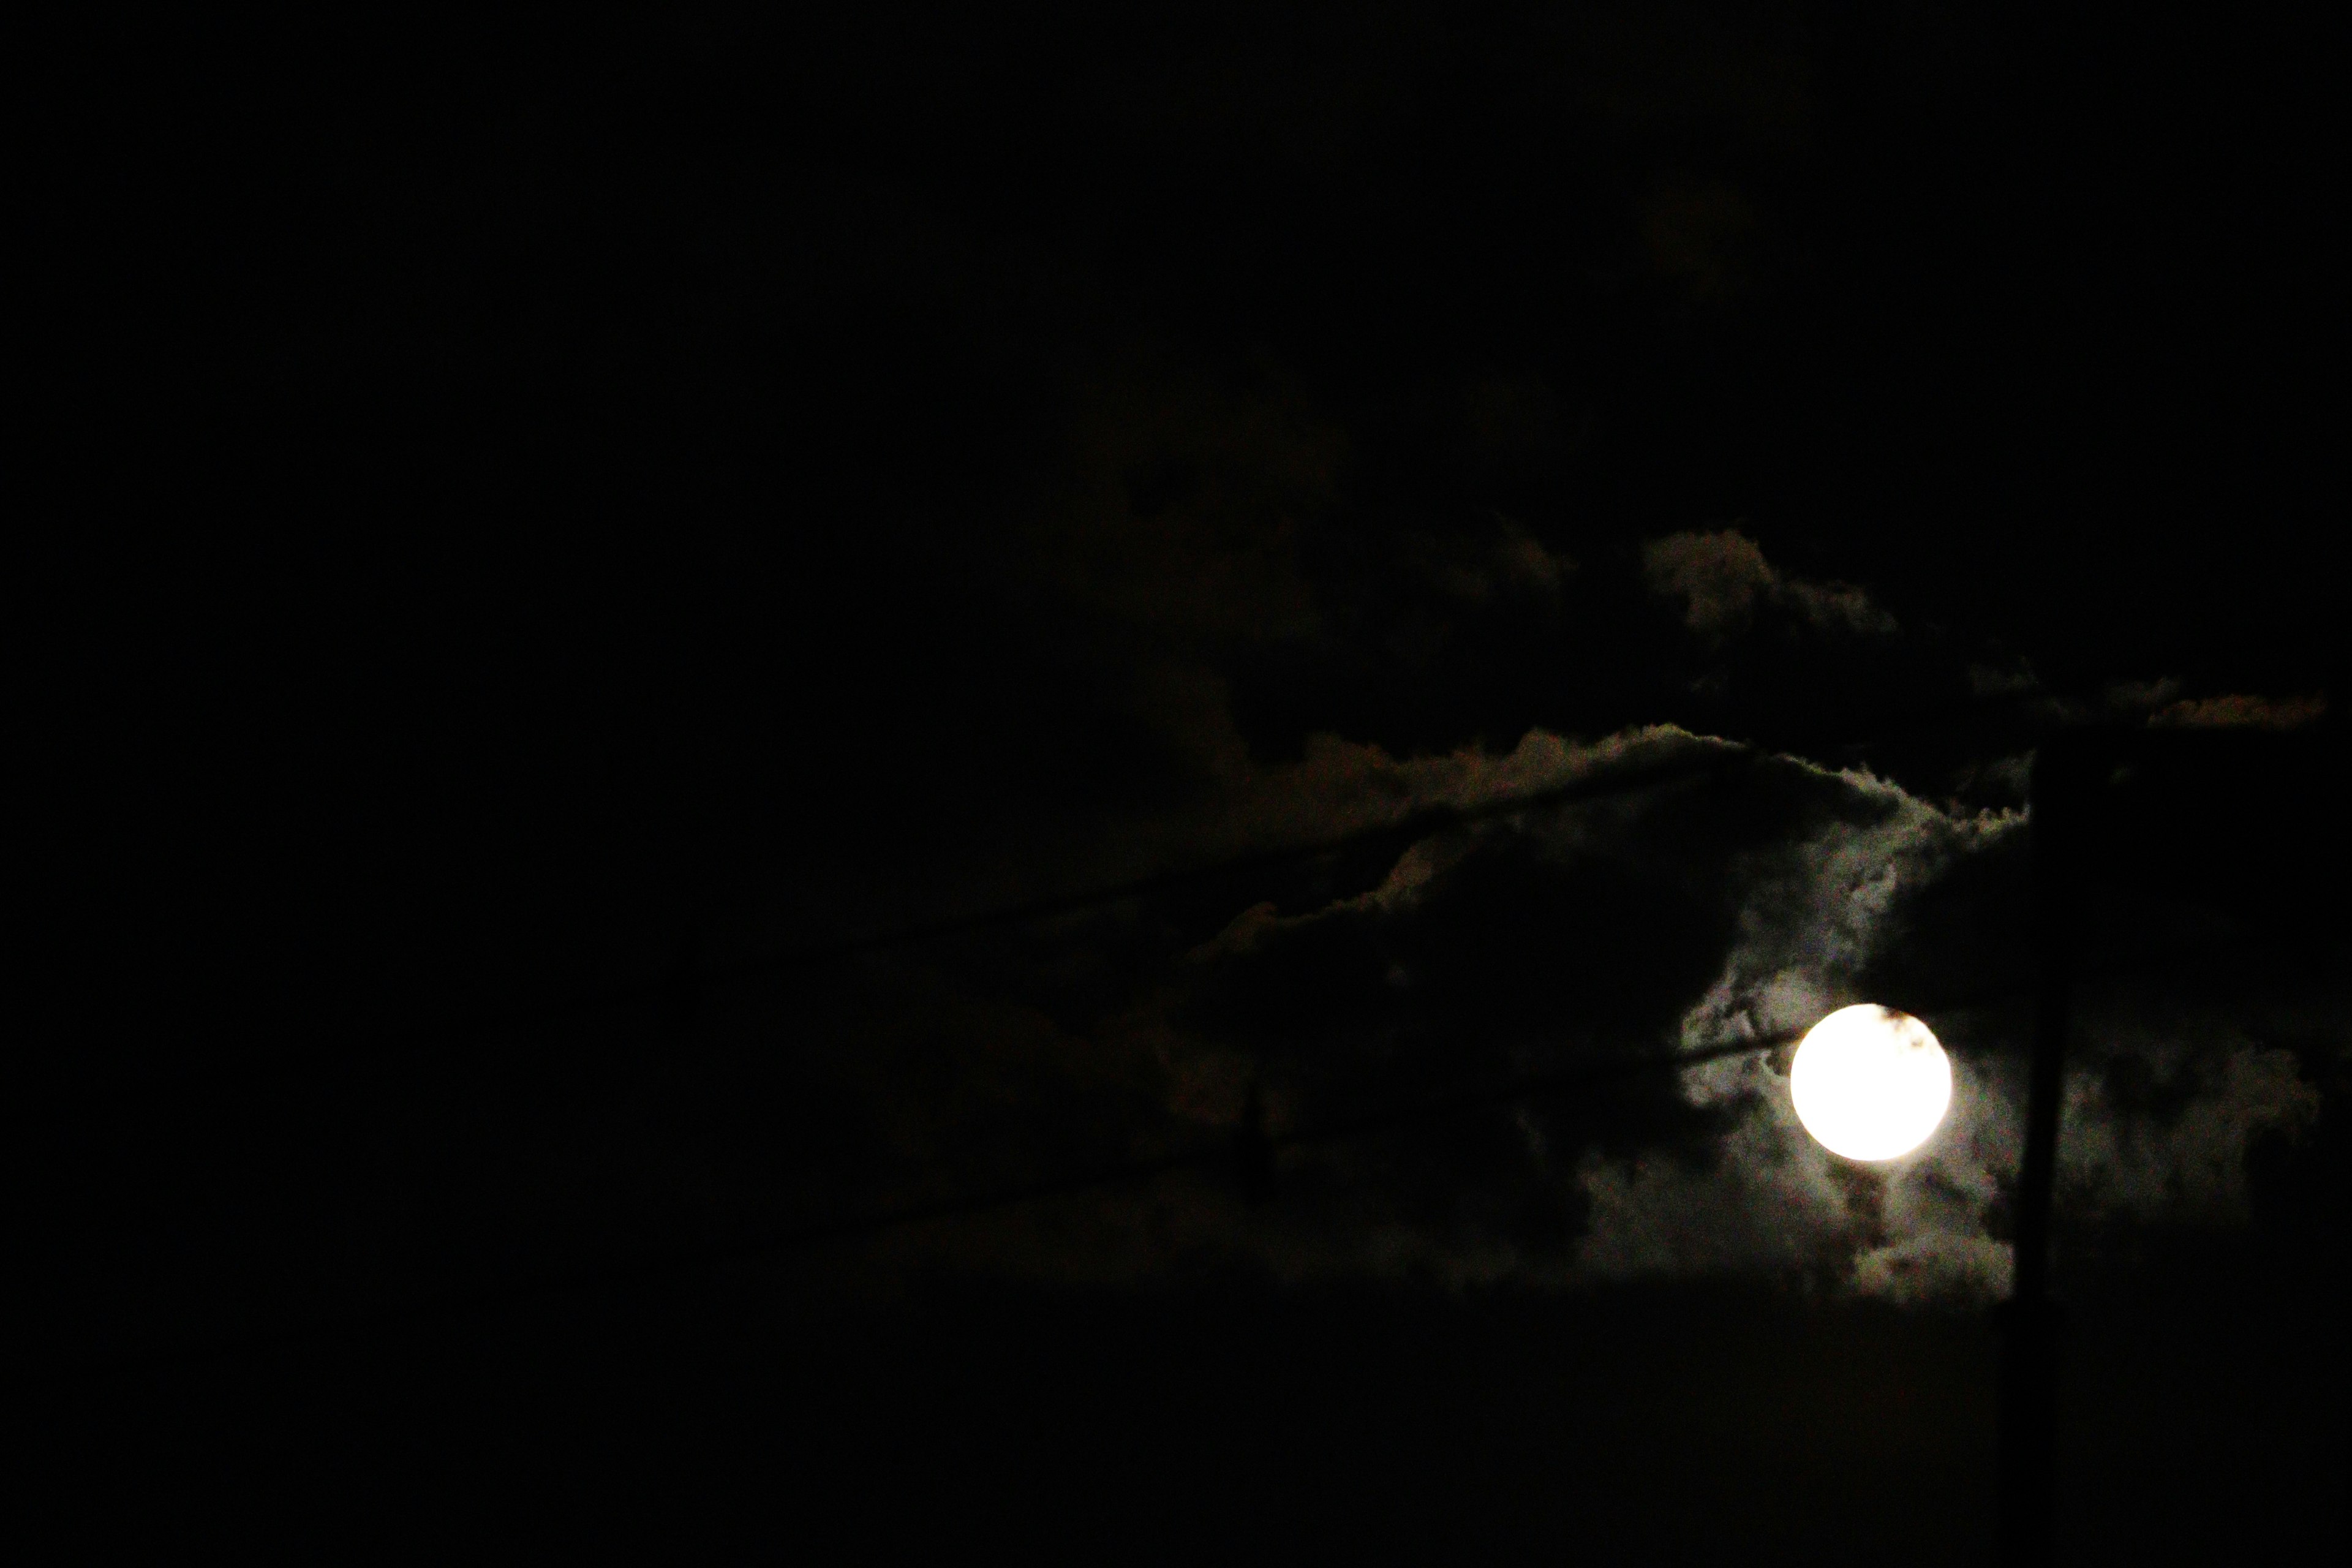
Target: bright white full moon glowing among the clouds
point(1871, 1083)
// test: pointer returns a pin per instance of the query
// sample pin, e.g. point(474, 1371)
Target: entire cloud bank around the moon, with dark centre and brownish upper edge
point(1739, 902)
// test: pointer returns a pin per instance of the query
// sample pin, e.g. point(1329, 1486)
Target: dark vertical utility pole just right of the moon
point(2031, 1346)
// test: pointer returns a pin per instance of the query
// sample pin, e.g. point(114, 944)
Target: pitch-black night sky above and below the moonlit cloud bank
point(547, 495)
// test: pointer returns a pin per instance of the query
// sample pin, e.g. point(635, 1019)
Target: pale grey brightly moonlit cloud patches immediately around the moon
point(2165, 1101)
